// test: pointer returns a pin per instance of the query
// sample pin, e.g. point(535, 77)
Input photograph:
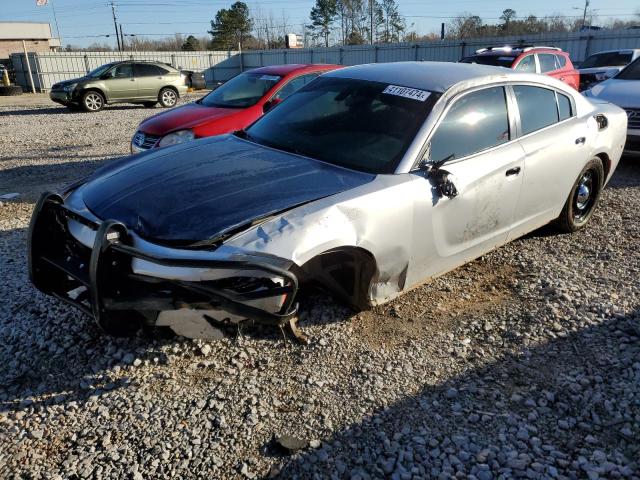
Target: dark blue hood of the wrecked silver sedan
point(201, 190)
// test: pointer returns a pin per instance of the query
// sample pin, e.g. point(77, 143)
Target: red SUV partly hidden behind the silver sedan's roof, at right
point(550, 61)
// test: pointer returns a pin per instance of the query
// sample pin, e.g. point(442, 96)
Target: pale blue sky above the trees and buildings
point(82, 22)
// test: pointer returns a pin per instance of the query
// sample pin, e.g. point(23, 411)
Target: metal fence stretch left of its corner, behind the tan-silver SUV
point(50, 68)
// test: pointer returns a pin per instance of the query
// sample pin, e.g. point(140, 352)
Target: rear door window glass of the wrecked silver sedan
point(537, 107)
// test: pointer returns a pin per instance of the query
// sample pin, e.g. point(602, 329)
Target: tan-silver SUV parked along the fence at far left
point(146, 83)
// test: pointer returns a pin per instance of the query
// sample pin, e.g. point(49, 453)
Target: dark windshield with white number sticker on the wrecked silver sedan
point(357, 124)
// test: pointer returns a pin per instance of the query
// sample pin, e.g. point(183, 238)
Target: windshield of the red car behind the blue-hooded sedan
point(241, 91)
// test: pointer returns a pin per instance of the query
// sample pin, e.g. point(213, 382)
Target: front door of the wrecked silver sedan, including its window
point(485, 161)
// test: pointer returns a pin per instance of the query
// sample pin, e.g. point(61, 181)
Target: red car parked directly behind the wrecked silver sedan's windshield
point(232, 106)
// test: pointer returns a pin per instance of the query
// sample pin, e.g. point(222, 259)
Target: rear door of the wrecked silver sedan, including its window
point(553, 139)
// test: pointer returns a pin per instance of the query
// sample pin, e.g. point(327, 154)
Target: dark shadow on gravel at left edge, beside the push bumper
point(45, 365)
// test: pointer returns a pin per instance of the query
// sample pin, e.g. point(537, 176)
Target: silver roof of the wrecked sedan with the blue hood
point(431, 76)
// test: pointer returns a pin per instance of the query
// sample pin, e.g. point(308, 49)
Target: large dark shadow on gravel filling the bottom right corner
point(547, 401)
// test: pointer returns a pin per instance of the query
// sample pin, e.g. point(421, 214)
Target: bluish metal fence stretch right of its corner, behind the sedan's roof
point(578, 44)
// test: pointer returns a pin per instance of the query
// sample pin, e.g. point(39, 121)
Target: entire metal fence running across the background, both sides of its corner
point(49, 68)
